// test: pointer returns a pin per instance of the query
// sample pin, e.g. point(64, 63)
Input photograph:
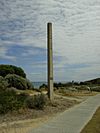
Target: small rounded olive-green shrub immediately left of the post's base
point(36, 102)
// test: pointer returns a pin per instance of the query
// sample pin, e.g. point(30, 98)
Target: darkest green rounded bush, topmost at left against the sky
point(10, 69)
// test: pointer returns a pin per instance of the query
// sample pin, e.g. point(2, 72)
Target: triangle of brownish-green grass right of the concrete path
point(94, 124)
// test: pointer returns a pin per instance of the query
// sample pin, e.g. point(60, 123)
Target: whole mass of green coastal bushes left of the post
point(12, 80)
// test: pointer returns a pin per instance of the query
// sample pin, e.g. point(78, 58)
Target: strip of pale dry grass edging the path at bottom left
point(22, 126)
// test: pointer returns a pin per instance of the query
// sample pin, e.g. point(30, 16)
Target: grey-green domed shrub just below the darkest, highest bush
point(18, 82)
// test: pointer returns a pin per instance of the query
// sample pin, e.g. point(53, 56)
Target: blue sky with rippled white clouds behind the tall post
point(76, 37)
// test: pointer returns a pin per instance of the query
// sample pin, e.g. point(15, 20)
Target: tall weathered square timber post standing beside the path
point(50, 61)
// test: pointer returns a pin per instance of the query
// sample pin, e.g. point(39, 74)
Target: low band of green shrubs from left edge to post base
point(10, 101)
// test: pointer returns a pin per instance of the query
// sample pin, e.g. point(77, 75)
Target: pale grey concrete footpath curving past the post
point(72, 120)
